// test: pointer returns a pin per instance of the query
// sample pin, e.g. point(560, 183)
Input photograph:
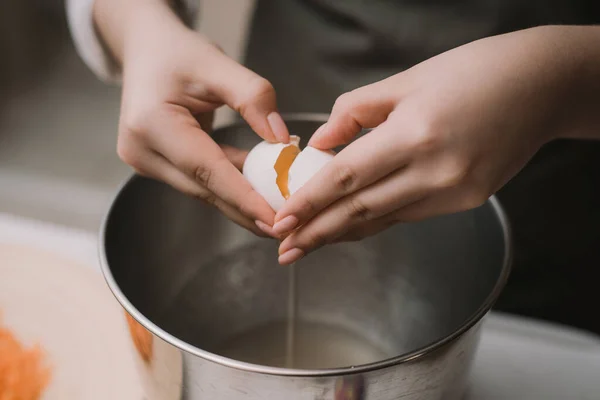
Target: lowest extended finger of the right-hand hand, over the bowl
point(368, 205)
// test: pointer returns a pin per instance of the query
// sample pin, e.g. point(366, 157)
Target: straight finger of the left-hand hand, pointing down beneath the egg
point(194, 153)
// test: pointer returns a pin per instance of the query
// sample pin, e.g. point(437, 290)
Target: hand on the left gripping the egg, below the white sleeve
point(173, 80)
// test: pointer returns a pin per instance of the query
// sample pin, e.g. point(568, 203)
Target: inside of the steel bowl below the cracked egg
point(211, 284)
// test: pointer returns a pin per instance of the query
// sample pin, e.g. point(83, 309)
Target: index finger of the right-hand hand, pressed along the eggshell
point(363, 162)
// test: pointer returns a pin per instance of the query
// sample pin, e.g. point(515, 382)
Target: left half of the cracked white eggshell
point(259, 170)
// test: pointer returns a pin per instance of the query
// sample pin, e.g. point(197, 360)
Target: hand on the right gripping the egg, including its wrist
point(447, 134)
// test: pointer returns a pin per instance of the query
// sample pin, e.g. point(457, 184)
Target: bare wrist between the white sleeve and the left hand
point(118, 20)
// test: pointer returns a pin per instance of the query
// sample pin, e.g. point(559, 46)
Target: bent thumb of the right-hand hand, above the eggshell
point(359, 109)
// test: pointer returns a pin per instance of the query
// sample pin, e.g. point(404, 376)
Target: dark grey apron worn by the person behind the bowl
point(314, 50)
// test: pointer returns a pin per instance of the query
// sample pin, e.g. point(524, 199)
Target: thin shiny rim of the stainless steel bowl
point(414, 355)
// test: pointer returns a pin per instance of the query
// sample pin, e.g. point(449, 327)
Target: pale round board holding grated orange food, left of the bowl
point(66, 308)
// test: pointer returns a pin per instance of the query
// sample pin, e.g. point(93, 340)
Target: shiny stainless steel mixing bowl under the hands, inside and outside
point(415, 292)
